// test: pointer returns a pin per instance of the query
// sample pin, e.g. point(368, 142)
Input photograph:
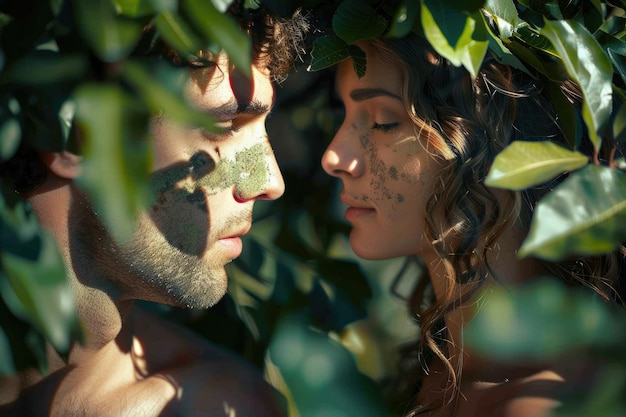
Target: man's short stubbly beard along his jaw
point(156, 263)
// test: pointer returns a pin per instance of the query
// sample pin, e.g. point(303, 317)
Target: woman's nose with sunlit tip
point(343, 156)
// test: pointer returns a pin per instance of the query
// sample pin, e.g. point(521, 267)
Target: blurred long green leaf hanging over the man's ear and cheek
point(116, 156)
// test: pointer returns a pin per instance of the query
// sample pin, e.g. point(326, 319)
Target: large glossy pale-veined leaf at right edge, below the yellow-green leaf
point(585, 214)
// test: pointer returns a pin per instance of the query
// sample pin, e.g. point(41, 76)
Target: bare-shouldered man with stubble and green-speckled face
point(131, 363)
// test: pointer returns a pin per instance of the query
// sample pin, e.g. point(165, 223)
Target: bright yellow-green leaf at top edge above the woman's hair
point(458, 37)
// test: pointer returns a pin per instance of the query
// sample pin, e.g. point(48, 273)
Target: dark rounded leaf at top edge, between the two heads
point(356, 20)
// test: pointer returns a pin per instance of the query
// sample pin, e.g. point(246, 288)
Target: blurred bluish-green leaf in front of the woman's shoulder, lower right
point(539, 321)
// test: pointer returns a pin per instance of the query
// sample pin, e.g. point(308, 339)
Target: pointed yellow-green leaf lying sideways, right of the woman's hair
point(525, 164)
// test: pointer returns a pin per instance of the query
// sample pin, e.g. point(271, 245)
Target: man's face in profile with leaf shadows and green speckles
point(205, 186)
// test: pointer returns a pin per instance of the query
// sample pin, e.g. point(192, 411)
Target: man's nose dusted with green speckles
point(260, 177)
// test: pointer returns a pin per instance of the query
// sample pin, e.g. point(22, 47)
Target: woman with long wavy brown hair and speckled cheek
point(416, 143)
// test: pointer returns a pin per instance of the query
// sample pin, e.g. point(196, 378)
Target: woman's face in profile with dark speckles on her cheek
point(387, 174)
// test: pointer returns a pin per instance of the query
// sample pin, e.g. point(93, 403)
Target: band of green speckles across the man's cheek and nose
point(247, 171)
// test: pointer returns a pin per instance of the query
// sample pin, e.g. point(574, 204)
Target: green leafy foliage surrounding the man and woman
point(71, 63)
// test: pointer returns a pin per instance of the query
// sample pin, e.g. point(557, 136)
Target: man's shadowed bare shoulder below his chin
point(205, 377)
